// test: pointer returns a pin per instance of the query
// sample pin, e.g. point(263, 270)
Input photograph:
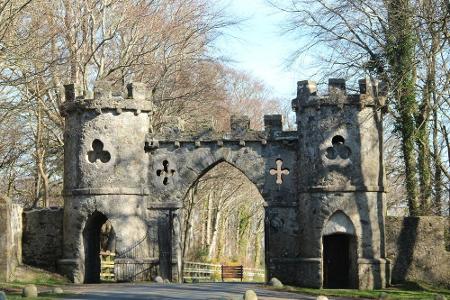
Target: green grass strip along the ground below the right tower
point(409, 290)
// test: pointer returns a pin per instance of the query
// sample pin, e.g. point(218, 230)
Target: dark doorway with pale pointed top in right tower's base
point(339, 256)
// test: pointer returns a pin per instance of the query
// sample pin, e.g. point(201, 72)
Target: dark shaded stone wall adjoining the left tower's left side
point(42, 237)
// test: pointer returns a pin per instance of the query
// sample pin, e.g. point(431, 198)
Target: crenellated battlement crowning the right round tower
point(371, 93)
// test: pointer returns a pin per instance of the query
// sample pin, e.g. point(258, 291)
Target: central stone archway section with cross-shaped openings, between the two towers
point(177, 161)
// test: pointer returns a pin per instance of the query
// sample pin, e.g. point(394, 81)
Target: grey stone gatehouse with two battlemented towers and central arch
point(323, 185)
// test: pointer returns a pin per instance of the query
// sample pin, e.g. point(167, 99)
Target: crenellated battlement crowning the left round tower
point(107, 97)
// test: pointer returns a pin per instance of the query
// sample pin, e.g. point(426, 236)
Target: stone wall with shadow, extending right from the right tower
point(416, 248)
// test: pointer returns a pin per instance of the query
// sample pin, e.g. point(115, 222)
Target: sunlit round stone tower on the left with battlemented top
point(105, 169)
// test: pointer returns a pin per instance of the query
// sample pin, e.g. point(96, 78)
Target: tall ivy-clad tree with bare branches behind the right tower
point(403, 42)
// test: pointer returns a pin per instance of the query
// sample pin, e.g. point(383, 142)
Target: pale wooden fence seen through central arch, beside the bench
point(210, 272)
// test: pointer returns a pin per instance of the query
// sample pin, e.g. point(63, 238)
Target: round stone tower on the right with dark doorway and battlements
point(341, 186)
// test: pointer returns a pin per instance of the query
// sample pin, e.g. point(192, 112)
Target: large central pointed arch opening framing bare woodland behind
point(223, 220)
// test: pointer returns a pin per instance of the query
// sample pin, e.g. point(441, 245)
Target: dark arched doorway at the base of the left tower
point(98, 235)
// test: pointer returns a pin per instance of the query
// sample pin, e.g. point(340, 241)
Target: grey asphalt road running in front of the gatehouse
point(149, 291)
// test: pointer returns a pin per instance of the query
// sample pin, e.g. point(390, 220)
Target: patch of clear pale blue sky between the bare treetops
point(258, 46)
